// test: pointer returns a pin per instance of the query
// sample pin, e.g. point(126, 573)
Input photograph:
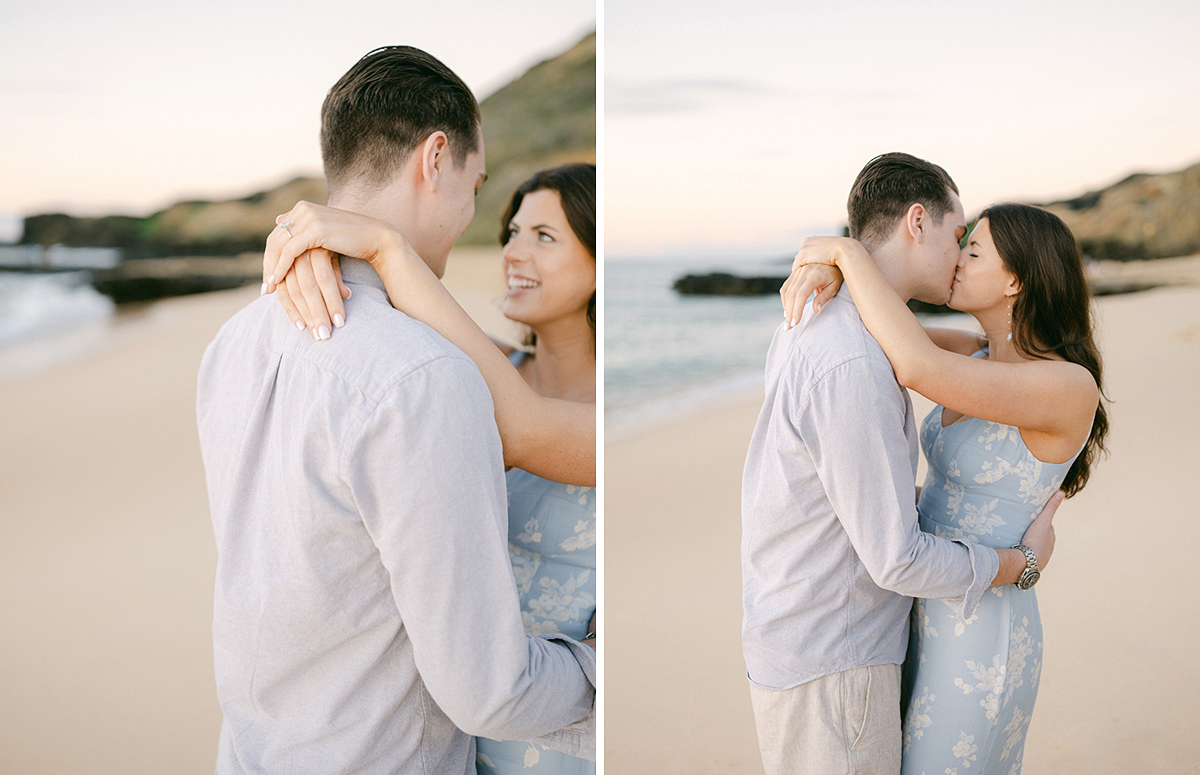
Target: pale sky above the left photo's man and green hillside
point(129, 106)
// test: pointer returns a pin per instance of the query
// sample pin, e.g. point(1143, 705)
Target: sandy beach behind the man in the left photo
point(106, 549)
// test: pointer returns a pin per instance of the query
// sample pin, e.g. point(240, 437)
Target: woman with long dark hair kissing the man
point(1019, 418)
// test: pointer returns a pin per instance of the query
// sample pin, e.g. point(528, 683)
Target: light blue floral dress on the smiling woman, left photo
point(553, 538)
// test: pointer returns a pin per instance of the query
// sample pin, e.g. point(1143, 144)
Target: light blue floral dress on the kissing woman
point(970, 684)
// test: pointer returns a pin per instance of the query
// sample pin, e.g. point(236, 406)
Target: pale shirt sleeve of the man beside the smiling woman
point(427, 471)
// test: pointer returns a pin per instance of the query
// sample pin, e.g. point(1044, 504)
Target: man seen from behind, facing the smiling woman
point(367, 617)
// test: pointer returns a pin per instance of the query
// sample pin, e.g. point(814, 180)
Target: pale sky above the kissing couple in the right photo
point(735, 129)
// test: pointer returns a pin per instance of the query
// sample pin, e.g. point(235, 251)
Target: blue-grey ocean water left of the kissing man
point(665, 352)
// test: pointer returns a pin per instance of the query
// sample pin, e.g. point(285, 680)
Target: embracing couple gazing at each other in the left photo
point(387, 592)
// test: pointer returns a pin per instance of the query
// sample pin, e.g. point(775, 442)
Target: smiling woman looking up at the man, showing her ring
point(545, 400)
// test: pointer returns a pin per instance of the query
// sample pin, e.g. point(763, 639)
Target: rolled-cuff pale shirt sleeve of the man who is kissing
point(853, 422)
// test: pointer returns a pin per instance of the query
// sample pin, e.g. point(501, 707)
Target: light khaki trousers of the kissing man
point(848, 724)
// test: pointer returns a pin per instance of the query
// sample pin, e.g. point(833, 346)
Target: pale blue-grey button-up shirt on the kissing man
point(831, 549)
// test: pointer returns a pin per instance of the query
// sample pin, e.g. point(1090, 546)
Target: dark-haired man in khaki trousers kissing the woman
point(832, 552)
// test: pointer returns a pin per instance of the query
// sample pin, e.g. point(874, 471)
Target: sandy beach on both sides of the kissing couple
point(1119, 605)
